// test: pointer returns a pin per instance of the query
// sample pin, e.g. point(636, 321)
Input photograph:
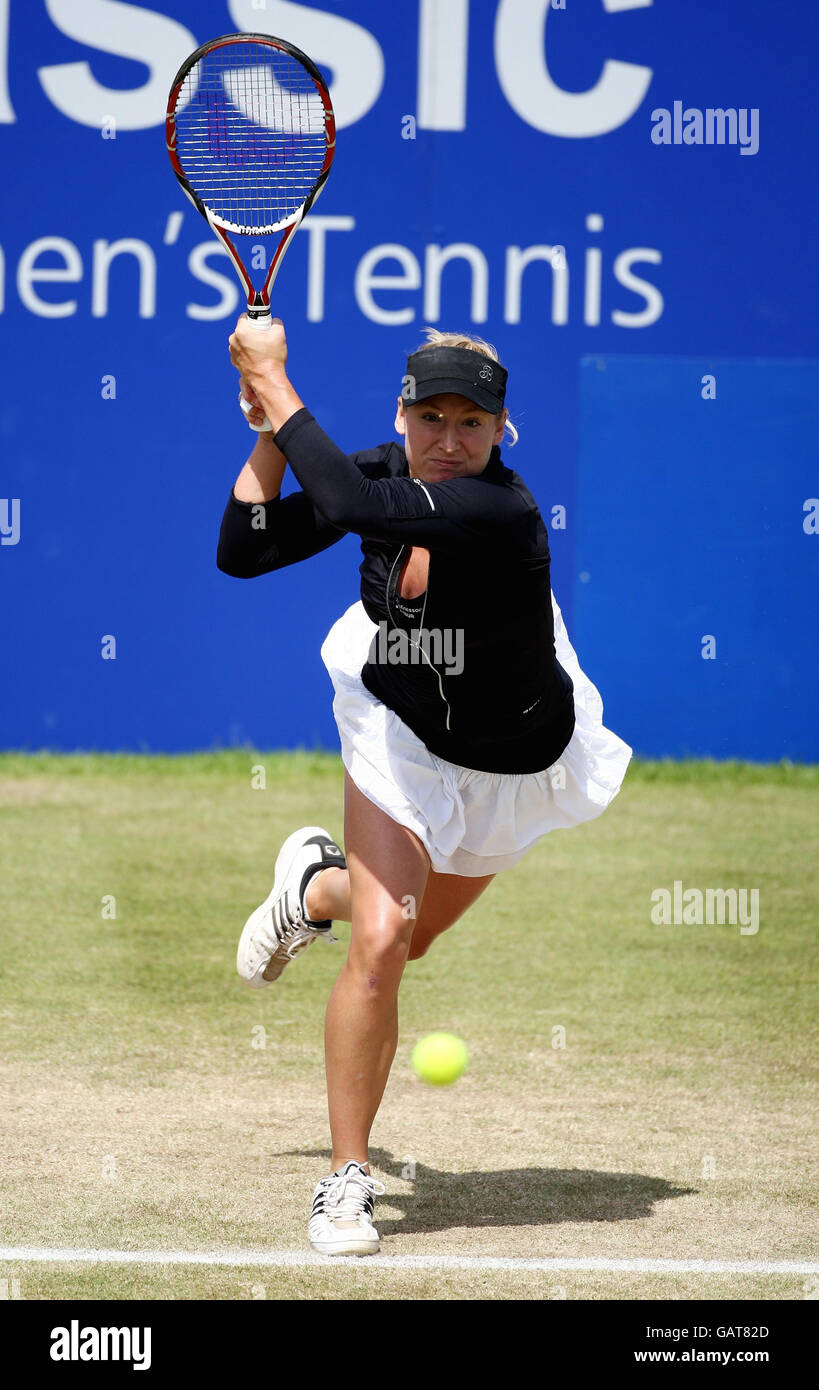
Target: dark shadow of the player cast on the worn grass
point(436, 1200)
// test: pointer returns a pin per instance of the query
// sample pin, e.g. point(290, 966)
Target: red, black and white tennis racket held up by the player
point(251, 136)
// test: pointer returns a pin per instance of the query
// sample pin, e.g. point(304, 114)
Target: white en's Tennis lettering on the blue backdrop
point(391, 284)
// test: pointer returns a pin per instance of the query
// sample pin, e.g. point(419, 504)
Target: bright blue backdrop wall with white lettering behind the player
point(549, 176)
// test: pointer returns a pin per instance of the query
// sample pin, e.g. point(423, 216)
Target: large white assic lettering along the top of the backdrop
point(519, 34)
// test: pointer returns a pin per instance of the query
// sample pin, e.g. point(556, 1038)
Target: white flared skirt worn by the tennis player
point(471, 824)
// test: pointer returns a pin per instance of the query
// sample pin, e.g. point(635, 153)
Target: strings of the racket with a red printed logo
point(251, 134)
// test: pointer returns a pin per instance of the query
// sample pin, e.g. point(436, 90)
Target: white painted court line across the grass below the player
point(298, 1260)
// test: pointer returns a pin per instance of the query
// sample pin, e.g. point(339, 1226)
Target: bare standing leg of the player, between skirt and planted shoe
point(389, 871)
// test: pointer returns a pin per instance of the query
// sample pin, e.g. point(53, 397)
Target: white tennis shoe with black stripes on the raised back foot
point(280, 928)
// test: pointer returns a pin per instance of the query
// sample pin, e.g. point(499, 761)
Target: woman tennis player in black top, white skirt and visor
point(468, 729)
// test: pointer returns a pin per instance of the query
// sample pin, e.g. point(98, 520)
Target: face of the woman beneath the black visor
point(448, 437)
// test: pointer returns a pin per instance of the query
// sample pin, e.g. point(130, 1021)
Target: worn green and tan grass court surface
point(143, 1110)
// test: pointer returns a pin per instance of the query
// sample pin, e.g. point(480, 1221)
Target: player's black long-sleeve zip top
point(511, 708)
